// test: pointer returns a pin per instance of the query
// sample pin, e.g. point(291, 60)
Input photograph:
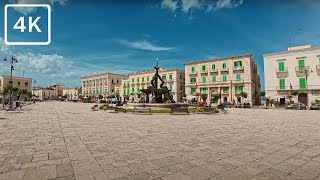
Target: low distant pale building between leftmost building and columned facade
point(44, 94)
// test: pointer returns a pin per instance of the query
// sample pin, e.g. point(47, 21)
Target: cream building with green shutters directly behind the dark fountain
point(174, 80)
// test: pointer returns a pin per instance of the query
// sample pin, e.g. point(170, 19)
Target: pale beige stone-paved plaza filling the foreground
point(66, 141)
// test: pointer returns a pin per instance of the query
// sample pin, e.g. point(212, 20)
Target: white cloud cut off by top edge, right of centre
point(208, 5)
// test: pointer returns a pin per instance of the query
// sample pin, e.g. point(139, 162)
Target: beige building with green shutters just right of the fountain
point(224, 77)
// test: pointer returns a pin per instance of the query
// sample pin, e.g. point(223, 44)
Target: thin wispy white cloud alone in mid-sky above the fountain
point(144, 45)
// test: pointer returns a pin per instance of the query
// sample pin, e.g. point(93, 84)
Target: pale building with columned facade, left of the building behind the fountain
point(101, 84)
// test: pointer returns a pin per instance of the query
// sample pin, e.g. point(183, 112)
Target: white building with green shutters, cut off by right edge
point(297, 69)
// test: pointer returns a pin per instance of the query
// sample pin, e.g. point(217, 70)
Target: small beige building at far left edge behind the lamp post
point(18, 82)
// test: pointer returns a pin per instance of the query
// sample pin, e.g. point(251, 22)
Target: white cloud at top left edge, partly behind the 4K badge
point(28, 10)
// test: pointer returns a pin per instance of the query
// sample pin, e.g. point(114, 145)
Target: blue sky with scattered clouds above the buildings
point(120, 36)
